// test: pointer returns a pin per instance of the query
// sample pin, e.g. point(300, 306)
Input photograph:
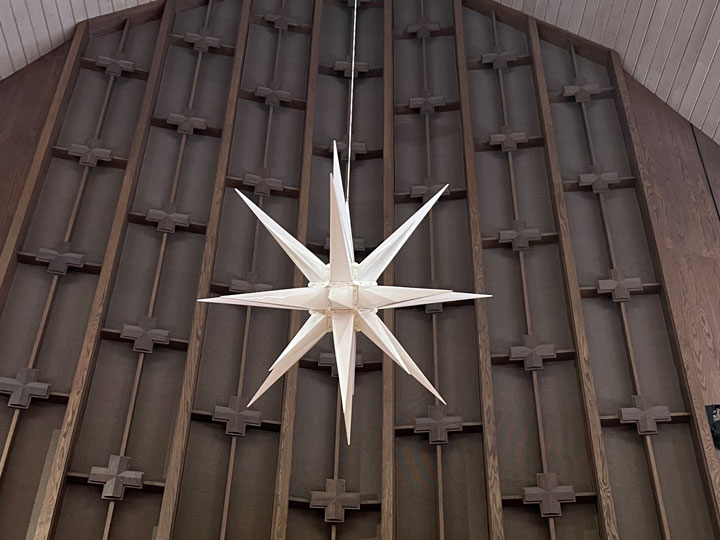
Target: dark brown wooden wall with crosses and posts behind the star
point(568, 415)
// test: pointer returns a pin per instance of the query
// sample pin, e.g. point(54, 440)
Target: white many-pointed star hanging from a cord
point(343, 297)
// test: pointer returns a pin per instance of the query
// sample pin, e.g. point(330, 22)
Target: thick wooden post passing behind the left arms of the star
point(287, 426)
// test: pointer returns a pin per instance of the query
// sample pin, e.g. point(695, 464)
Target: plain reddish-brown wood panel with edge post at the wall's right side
point(683, 232)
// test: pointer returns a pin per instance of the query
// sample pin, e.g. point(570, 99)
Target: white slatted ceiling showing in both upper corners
point(671, 46)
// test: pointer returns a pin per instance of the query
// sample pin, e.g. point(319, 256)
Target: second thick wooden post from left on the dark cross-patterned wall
point(83, 373)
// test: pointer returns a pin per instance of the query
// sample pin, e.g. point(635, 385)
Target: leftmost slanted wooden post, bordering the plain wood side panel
point(41, 161)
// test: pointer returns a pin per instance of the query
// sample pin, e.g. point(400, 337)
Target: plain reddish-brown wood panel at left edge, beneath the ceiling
point(25, 100)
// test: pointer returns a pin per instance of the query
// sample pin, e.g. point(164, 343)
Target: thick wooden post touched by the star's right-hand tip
point(492, 470)
